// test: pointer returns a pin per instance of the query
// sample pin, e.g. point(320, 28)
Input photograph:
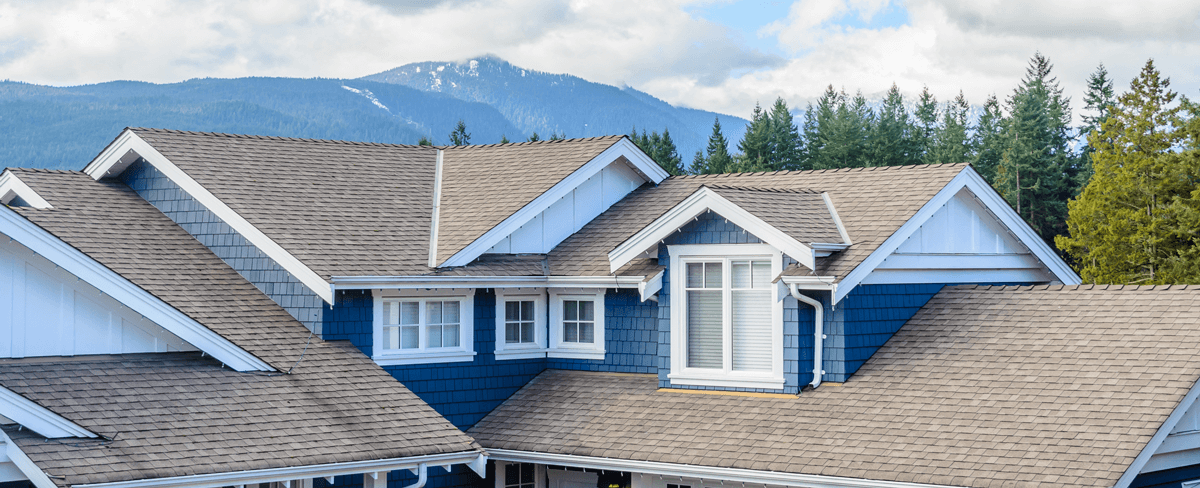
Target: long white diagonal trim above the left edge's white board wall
point(125, 292)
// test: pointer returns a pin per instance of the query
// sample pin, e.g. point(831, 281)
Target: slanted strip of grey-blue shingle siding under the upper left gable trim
point(226, 243)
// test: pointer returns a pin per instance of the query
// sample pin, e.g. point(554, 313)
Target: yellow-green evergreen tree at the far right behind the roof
point(1136, 221)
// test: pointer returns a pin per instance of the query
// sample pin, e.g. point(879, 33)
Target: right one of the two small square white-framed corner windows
point(577, 324)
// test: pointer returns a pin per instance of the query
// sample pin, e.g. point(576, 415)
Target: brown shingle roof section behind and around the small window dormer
point(868, 201)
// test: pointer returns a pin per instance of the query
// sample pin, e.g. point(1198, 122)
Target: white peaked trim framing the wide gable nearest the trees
point(991, 201)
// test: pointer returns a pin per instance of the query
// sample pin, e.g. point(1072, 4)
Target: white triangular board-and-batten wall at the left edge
point(50, 312)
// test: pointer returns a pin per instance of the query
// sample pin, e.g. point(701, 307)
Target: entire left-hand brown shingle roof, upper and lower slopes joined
point(337, 405)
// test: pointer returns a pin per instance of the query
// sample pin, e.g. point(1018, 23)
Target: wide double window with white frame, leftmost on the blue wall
point(422, 328)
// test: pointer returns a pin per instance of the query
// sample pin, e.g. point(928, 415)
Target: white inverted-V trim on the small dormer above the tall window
point(700, 202)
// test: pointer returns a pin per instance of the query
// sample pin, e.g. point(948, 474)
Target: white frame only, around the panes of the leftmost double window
point(423, 356)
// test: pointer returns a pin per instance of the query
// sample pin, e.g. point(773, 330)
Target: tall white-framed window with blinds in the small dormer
point(727, 324)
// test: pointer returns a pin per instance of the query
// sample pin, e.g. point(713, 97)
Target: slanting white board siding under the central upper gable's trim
point(572, 213)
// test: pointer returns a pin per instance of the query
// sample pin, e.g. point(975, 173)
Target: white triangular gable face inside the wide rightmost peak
point(962, 243)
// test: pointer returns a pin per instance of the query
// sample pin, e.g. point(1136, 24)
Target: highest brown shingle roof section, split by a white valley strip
point(363, 209)
